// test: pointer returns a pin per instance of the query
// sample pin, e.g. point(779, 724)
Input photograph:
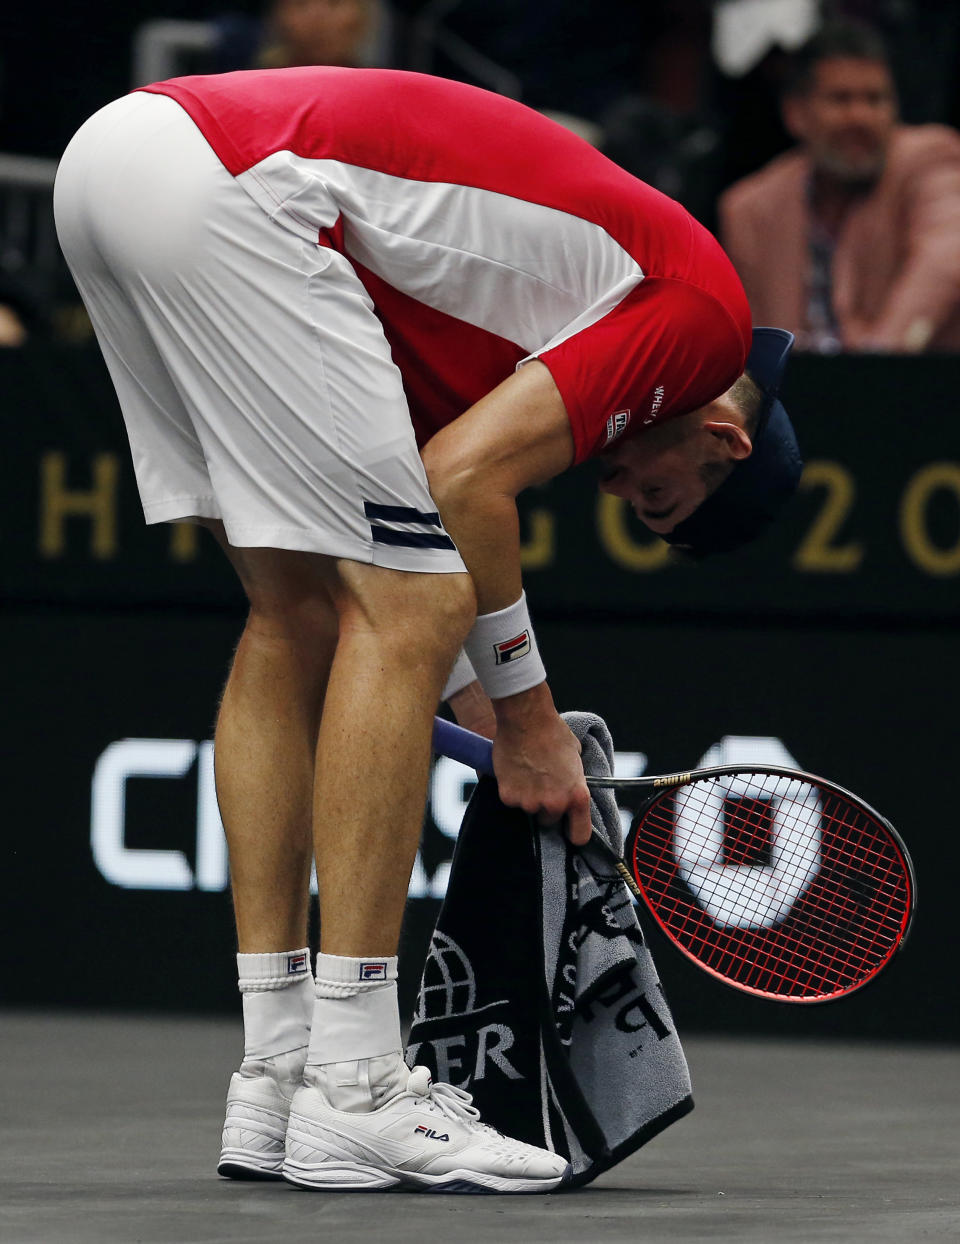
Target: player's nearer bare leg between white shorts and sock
point(399, 638)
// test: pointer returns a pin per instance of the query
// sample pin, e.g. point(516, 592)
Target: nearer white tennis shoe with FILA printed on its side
point(427, 1138)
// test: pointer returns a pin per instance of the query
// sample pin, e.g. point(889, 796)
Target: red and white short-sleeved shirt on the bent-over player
point(486, 236)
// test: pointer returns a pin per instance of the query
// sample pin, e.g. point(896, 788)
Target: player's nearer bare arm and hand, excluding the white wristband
point(515, 437)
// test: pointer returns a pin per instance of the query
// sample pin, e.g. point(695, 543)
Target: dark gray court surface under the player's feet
point(110, 1133)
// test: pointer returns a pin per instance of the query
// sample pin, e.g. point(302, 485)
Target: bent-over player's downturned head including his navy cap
point(713, 480)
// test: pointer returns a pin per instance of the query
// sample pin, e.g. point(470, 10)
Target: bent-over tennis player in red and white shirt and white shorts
point(350, 317)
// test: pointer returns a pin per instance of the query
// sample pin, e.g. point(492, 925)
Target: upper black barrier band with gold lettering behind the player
point(874, 533)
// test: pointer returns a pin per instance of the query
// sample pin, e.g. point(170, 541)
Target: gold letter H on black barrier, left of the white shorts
point(59, 503)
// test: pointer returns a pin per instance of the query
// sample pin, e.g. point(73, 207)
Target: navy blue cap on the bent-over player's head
point(757, 488)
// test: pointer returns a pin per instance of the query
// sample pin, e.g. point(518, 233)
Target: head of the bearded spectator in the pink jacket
point(841, 101)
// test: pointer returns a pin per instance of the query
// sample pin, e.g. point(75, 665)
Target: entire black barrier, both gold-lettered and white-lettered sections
point(833, 643)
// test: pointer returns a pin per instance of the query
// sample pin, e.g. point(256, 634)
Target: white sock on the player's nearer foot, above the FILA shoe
point(356, 1051)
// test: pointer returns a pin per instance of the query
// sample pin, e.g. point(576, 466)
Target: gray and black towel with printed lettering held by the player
point(539, 993)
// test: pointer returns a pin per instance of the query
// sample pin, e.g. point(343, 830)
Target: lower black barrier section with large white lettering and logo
point(115, 875)
